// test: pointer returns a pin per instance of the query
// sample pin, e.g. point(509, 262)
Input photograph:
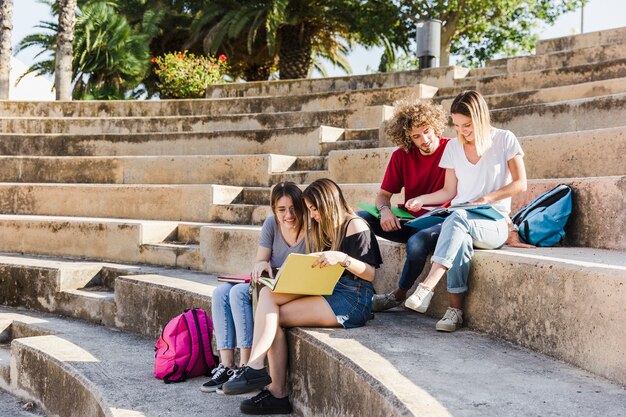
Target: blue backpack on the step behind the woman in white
point(542, 222)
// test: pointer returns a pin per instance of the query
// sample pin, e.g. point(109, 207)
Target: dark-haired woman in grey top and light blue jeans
point(231, 307)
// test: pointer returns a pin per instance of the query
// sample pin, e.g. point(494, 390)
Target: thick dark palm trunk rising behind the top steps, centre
point(294, 53)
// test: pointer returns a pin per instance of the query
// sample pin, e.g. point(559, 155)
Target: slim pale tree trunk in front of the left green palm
point(63, 63)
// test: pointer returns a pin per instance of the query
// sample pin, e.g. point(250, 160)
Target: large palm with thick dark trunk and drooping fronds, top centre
point(295, 32)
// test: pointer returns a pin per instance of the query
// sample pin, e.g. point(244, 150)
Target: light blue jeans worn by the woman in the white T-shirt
point(461, 232)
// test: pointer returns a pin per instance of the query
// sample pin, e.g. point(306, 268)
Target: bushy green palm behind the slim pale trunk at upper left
point(110, 58)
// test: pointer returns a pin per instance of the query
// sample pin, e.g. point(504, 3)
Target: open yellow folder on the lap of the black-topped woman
point(297, 277)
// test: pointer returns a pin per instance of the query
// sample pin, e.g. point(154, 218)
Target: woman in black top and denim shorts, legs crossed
point(339, 237)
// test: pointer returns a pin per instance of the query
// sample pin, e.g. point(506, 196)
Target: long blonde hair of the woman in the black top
point(326, 196)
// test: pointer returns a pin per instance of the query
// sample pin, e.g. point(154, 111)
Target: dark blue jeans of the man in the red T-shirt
point(419, 244)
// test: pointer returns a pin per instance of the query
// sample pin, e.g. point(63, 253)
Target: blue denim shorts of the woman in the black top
point(351, 301)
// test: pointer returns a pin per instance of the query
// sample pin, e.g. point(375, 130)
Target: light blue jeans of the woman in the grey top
point(231, 309)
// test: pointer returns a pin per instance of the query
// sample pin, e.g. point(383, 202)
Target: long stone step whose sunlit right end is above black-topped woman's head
point(298, 141)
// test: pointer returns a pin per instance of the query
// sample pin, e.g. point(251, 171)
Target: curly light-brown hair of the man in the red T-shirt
point(414, 113)
